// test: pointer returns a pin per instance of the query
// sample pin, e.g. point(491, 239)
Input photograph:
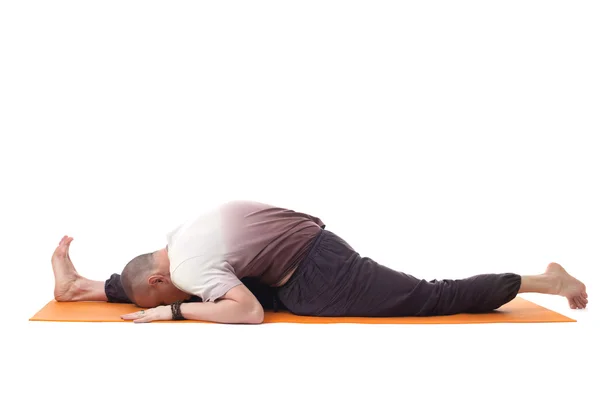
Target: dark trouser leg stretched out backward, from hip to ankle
point(334, 280)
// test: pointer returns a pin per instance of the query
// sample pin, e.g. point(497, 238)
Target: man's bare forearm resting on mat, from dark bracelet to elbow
point(223, 311)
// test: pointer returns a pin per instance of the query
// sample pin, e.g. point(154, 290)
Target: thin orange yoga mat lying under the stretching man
point(518, 310)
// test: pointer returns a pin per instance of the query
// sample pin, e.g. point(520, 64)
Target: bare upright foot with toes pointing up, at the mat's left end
point(66, 277)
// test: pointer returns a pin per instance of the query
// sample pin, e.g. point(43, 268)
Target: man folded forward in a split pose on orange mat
point(236, 260)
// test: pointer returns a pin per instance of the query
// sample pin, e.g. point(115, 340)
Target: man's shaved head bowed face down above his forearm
point(147, 281)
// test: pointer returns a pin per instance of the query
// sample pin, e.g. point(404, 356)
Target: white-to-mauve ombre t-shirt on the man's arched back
point(236, 240)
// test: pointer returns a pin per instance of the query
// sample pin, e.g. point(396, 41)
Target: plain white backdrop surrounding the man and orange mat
point(443, 139)
